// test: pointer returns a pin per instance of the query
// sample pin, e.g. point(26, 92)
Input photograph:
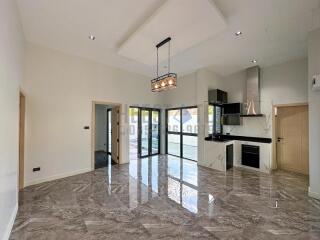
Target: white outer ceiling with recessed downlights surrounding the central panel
point(274, 31)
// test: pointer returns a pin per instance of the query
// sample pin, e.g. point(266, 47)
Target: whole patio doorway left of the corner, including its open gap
point(144, 132)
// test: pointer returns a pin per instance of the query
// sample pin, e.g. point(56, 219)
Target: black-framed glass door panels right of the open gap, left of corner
point(149, 132)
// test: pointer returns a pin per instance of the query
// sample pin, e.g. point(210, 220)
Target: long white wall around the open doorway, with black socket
point(60, 89)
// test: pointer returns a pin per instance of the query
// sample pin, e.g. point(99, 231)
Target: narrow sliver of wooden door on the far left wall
point(21, 140)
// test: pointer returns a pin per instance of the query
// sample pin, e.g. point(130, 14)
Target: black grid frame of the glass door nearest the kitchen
point(180, 133)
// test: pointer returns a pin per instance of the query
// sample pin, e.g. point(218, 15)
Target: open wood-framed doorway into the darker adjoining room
point(106, 134)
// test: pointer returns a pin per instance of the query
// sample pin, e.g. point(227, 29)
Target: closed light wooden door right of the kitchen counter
point(293, 139)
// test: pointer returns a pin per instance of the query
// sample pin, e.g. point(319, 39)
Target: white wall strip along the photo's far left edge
point(11, 73)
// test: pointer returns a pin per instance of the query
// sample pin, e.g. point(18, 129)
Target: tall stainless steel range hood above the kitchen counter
point(252, 101)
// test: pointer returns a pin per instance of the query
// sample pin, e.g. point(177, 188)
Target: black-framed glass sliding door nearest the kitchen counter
point(182, 132)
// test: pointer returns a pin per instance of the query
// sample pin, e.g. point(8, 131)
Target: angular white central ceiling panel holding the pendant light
point(193, 23)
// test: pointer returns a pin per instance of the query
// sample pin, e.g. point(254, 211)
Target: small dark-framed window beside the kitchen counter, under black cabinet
point(214, 119)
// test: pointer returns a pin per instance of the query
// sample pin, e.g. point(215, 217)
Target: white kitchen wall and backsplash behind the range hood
point(280, 84)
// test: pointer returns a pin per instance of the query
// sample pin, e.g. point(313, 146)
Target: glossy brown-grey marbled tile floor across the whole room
point(169, 198)
